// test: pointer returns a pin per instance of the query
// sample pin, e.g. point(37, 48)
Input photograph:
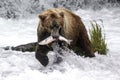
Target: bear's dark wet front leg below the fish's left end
point(41, 54)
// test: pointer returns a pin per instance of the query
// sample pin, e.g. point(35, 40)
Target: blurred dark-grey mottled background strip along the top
point(23, 8)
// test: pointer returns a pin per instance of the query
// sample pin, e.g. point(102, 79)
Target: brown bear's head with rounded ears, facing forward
point(53, 23)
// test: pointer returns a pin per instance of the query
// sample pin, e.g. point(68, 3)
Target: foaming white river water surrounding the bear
point(23, 66)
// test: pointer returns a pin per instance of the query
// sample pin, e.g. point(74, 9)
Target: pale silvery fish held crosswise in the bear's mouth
point(50, 39)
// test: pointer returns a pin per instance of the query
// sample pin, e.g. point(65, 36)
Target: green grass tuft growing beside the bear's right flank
point(98, 39)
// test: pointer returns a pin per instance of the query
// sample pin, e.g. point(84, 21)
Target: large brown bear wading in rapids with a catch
point(59, 21)
